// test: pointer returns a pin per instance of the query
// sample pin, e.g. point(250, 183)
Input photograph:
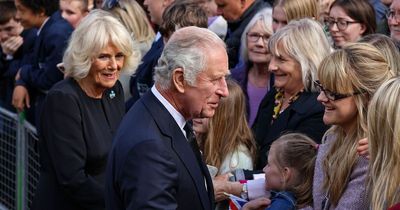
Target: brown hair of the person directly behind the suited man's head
point(182, 14)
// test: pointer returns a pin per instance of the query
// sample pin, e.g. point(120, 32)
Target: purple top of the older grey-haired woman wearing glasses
point(255, 94)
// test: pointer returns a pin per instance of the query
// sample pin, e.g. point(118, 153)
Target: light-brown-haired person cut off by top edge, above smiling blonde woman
point(286, 10)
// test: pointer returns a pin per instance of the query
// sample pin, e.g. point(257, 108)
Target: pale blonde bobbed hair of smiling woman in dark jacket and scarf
point(303, 40)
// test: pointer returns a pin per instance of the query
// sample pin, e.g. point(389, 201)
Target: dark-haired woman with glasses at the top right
point(349, 20)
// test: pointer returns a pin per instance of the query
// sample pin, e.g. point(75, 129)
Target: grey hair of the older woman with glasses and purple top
point(265, 17)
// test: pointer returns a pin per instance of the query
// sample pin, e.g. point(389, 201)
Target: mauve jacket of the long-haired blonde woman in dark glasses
point(355, 195)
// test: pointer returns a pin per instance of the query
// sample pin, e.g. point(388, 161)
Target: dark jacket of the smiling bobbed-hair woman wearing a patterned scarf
point(303, 116)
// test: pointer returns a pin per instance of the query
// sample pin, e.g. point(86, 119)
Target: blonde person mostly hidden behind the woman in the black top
point(134, 18)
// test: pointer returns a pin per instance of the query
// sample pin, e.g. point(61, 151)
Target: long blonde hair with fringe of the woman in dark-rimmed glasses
point(357, 68)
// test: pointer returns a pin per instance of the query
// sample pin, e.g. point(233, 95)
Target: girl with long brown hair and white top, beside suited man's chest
point(226, 139)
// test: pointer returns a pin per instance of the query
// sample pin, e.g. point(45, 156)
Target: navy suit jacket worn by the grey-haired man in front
point(152, 166)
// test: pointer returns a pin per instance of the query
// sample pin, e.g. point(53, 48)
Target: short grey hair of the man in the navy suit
point(188, 49)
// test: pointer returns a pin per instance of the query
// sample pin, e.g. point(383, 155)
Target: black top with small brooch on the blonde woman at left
point(76, 133)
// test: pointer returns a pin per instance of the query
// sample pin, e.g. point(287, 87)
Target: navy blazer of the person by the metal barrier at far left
point(42, 73)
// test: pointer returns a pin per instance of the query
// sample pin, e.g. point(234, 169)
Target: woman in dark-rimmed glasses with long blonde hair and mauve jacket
point(348, 77)
